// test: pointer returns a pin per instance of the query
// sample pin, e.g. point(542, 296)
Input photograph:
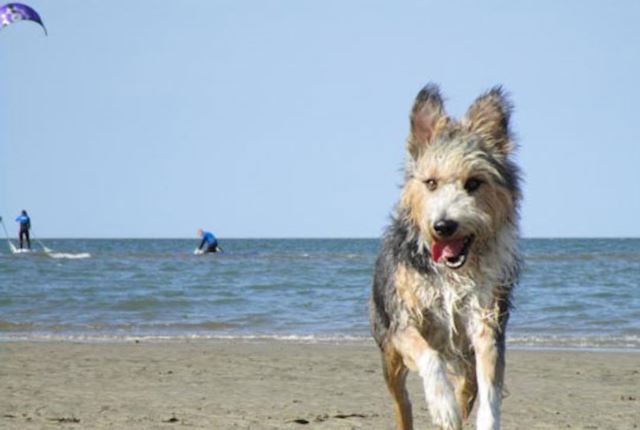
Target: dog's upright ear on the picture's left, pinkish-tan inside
point(427, 116)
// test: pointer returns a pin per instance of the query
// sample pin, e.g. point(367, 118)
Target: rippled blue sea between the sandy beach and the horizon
point(574, 293)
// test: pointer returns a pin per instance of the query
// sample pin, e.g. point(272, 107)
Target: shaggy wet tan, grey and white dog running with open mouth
point(448, 262)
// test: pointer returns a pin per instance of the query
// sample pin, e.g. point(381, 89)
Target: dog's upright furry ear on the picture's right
point(489, 117)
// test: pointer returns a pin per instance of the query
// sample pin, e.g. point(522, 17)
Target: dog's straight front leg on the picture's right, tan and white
point(489, 348)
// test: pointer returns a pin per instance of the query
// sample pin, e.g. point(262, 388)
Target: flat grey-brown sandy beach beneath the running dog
point(282, 385)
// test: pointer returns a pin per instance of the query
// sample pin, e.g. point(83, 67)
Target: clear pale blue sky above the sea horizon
point(288, 118)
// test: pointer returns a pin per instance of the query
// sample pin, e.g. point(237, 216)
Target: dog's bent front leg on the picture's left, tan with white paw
point(438, 389)
